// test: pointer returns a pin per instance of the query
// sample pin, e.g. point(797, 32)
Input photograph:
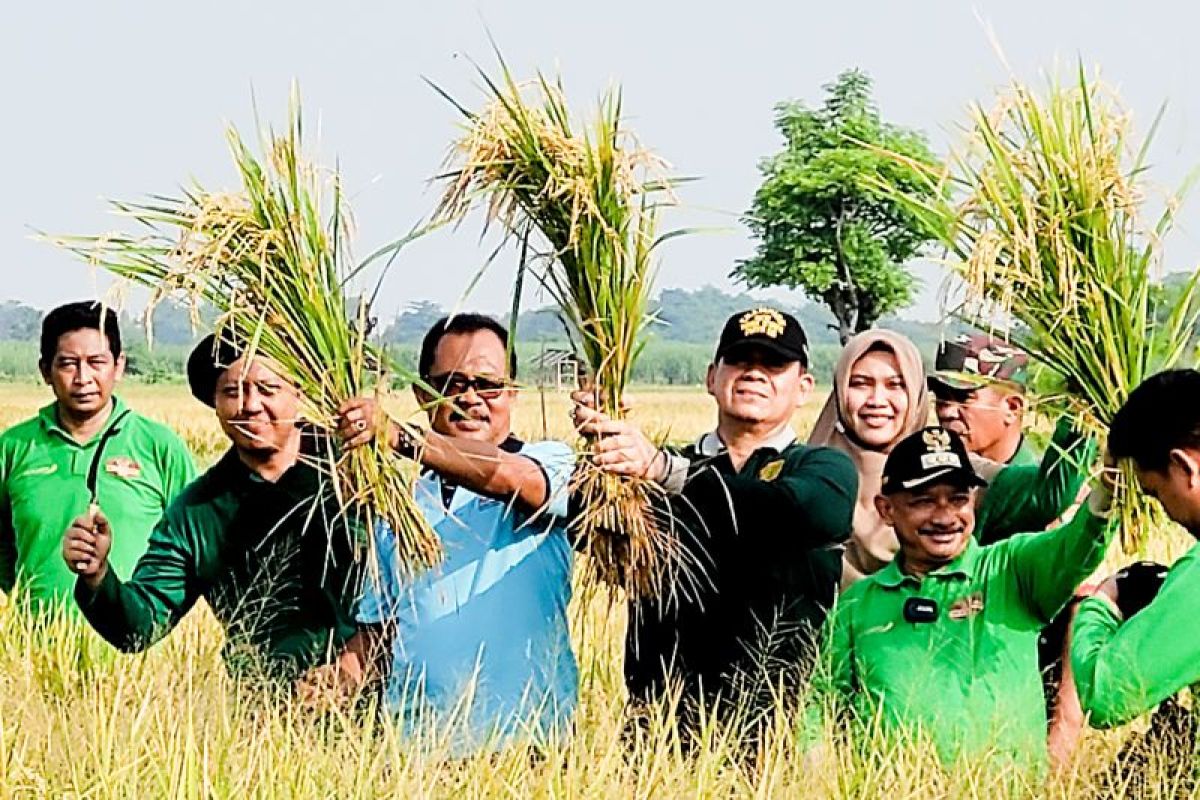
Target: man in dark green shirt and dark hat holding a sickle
point(260, 537)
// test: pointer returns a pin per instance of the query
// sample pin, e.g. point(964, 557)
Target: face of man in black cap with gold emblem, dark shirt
point(752, 384)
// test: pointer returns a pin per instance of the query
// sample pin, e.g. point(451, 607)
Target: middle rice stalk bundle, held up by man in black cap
point(593, 195)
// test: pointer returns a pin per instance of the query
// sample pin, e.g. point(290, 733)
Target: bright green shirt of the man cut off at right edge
point(1126, 669)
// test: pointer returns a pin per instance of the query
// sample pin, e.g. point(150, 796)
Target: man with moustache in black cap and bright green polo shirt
point(943, 642)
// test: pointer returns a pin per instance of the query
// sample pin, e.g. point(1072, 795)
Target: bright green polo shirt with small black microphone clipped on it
point(970, 679)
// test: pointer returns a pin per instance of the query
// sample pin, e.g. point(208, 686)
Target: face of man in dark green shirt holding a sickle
point(257, 410)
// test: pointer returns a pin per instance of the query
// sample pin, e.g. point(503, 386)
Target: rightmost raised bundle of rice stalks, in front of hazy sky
point(1041, 216)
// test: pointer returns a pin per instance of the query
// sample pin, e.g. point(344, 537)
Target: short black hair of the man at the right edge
point(1161, 416)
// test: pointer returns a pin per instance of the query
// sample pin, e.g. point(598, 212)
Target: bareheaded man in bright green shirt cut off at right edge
point(1126, 663)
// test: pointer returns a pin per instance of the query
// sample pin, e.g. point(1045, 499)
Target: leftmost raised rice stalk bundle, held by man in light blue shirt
point(273, 260)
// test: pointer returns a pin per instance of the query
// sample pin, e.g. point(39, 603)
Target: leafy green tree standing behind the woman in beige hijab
point(821, 227)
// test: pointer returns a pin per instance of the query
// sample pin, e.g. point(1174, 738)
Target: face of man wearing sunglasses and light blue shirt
point(472, 371)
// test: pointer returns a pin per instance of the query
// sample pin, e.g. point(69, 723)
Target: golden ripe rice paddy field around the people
point(81, 721)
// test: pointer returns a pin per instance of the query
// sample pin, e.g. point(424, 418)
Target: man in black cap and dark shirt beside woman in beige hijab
point(760, 514)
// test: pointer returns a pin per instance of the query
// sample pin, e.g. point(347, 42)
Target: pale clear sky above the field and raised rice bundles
point(124, 99)
